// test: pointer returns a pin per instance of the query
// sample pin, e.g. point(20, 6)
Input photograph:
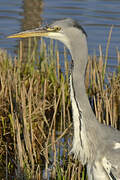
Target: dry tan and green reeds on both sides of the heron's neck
point(35, 112)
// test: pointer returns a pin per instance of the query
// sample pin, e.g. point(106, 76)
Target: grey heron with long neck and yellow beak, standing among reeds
point(96, 145)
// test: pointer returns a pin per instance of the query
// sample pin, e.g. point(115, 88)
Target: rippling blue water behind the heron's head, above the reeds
point(96, 16)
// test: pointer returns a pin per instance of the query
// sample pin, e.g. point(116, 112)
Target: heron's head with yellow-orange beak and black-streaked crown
point(62, 30)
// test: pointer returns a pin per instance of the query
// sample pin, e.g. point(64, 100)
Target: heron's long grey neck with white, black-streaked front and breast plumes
point(86, 127)
